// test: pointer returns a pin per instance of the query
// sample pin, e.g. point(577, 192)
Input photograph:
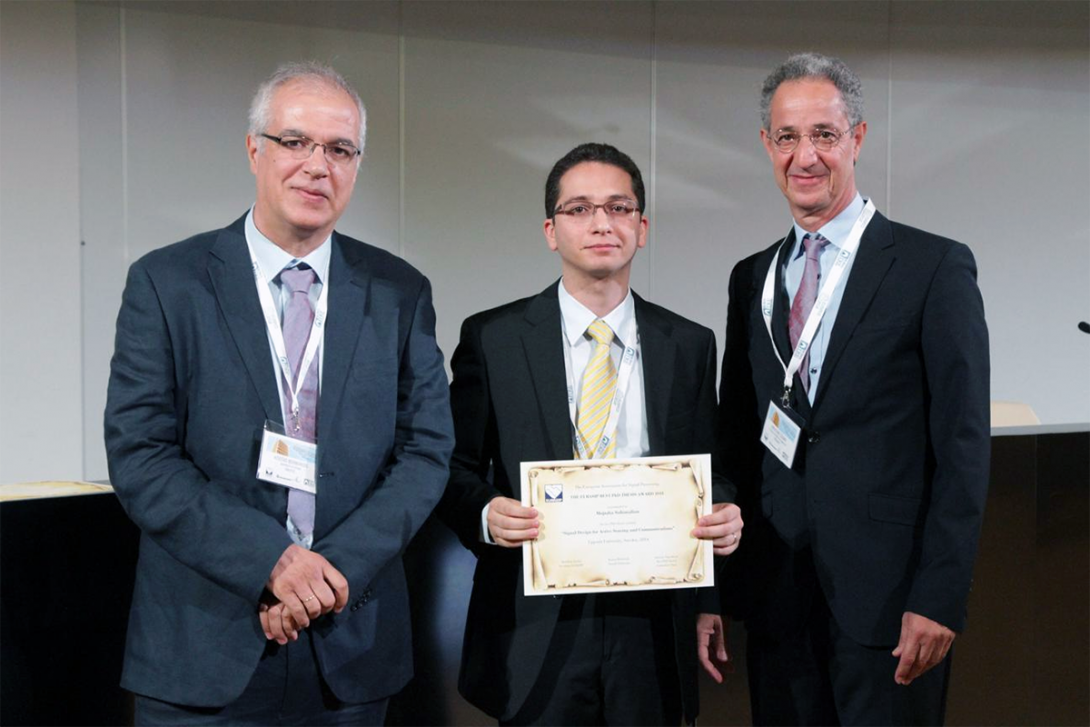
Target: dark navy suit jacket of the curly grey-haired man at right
point(886, 499)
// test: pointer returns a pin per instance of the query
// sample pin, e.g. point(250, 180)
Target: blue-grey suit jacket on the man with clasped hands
point(192, 383)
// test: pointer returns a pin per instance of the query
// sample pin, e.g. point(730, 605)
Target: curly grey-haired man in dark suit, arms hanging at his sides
point(861, 544)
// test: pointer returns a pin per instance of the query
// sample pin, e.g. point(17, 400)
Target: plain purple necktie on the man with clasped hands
point(298, 318)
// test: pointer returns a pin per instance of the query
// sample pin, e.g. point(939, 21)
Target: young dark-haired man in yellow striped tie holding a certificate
point(577, 660)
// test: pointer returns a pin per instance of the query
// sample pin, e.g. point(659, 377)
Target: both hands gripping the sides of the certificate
point(511, 525)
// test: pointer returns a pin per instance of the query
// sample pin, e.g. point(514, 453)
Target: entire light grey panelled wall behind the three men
point(977, 117)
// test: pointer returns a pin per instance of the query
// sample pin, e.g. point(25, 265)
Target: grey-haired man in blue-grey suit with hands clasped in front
point(258, 603)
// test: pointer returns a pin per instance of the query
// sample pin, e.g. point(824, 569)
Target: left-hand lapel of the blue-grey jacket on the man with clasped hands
point(233, 278)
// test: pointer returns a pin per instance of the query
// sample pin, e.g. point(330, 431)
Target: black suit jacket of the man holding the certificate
point(511, 405)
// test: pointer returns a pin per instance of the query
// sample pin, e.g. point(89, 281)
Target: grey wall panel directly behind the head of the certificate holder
point(495, 94)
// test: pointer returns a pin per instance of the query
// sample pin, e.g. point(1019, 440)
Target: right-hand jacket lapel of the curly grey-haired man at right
point(876, 256)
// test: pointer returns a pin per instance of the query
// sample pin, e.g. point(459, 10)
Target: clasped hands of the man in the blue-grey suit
point(302, 587)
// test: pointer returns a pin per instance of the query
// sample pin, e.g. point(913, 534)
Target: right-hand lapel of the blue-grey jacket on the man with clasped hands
point(349, 302)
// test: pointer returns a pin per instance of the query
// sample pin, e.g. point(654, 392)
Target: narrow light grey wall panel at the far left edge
point(42, 416)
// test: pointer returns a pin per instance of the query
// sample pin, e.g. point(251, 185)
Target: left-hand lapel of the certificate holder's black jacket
point(544, 348)
